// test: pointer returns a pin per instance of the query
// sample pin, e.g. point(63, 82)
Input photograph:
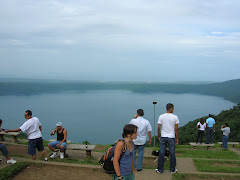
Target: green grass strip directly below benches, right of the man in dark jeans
point(221, 154)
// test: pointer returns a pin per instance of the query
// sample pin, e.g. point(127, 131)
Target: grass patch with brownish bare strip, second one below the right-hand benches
point(217, 166)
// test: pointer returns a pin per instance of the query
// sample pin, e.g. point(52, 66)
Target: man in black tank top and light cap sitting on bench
point(61, 142)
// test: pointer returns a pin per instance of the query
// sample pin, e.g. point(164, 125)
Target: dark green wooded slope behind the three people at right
point(188, 132)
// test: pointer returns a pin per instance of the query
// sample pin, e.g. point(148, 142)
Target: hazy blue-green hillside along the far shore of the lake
point(228, 90)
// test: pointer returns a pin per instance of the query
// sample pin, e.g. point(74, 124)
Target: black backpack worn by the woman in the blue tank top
point(107, 159)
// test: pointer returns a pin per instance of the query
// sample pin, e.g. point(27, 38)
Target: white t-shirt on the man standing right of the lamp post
point(168, 121)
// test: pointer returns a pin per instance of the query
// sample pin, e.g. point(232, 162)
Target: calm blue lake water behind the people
point(99, 116)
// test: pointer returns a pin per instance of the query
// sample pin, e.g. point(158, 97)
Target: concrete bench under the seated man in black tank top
point(88, 149)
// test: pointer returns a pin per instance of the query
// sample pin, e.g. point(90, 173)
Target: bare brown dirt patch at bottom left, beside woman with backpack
point(61, 173)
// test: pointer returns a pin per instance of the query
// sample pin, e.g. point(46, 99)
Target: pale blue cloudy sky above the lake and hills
point(120, 40)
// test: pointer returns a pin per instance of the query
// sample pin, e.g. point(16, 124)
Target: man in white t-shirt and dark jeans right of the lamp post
point(167, 135)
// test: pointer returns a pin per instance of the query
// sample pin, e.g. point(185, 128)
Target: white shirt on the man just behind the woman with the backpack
point(143, 127)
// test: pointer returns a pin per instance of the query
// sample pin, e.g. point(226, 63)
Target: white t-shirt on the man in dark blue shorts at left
point(31, 127)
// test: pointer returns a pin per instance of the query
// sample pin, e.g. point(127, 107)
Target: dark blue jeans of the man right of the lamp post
point(171, 145)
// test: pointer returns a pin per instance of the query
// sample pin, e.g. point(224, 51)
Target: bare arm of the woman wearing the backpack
point(117, 153)
